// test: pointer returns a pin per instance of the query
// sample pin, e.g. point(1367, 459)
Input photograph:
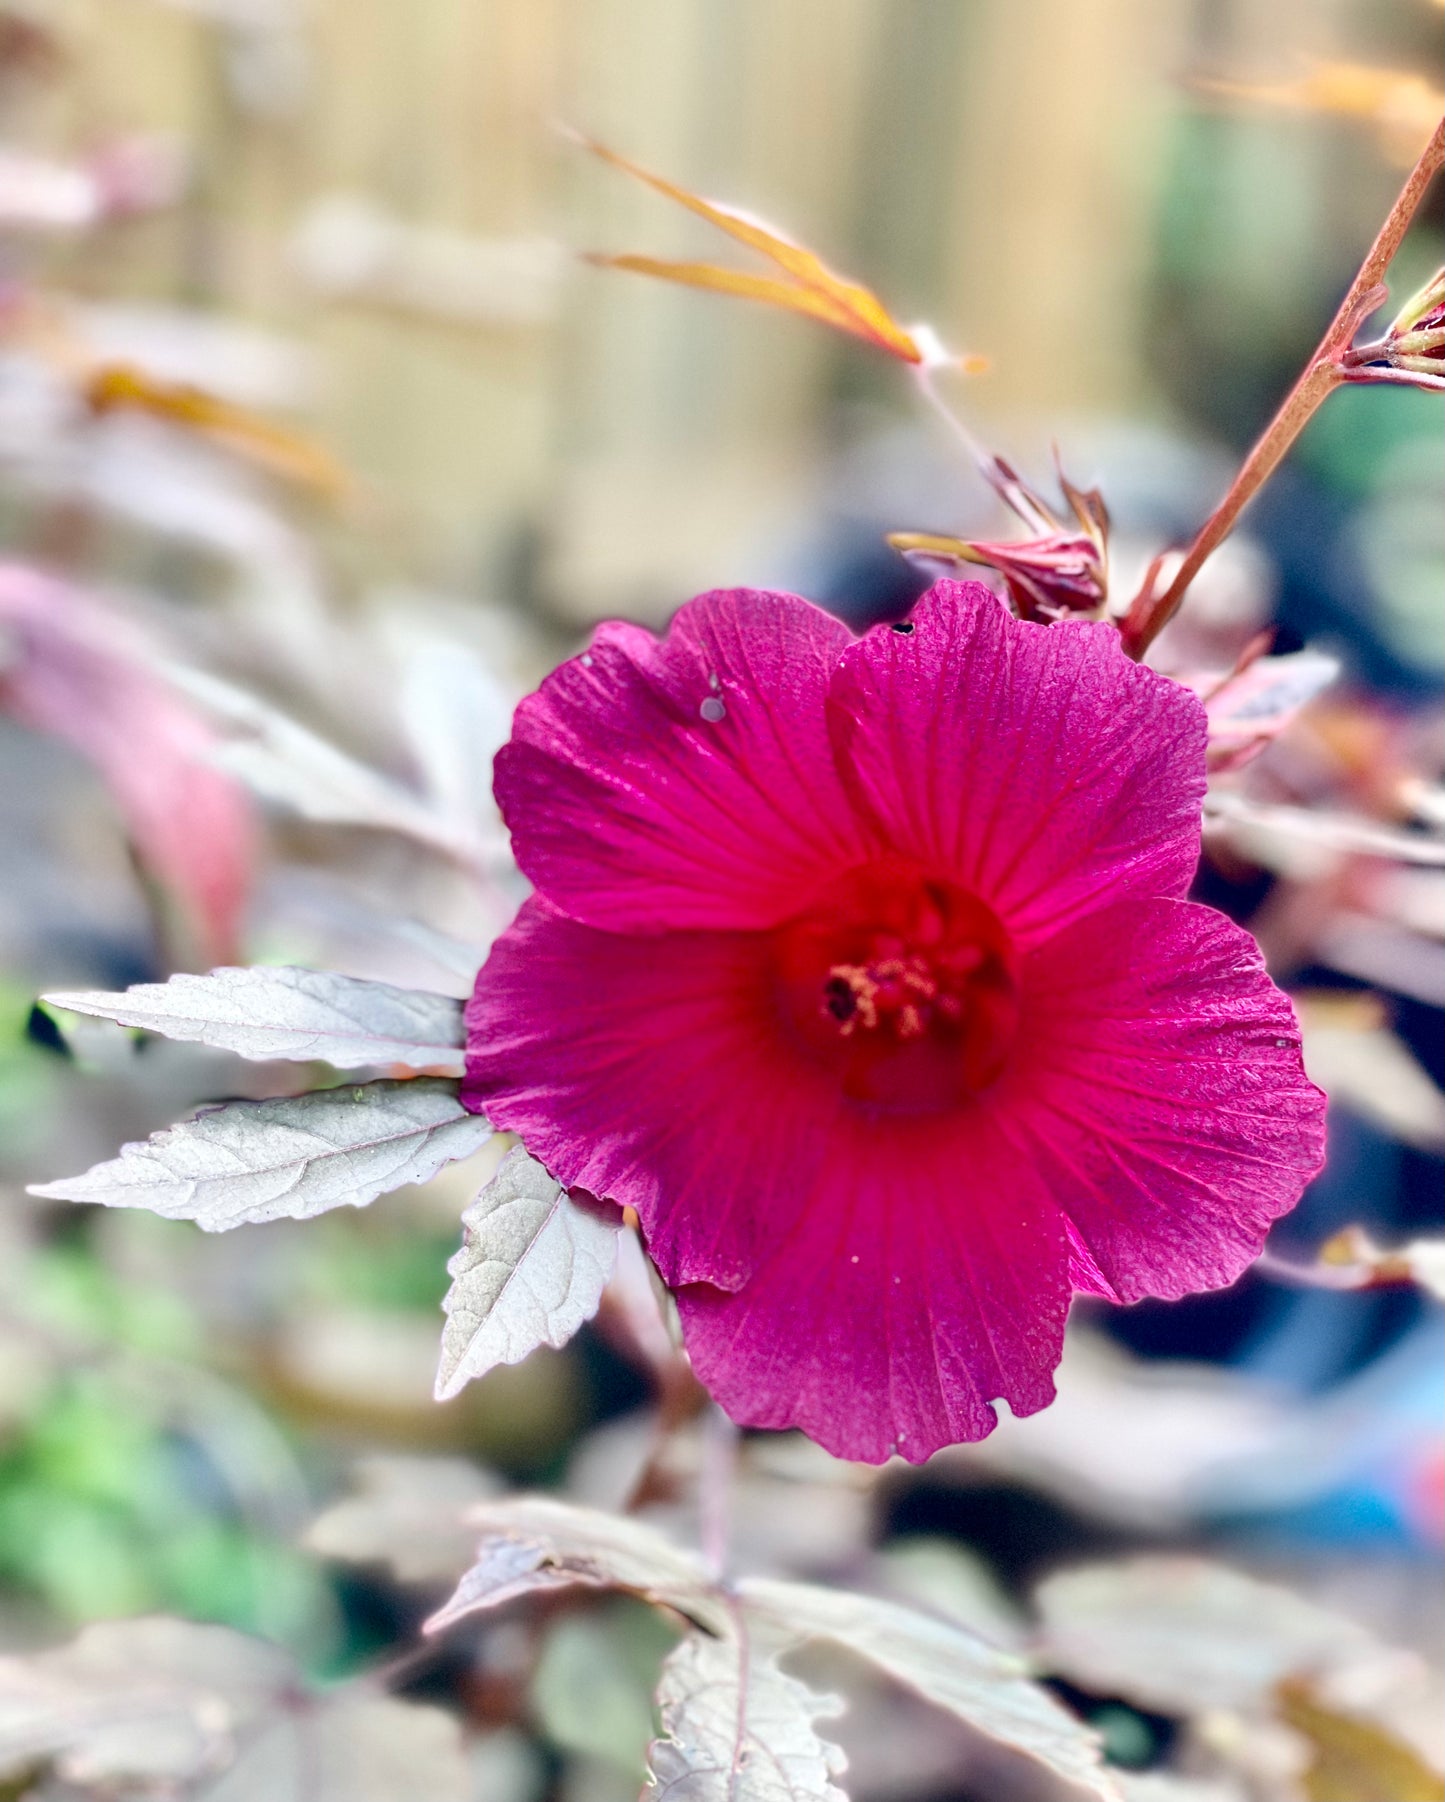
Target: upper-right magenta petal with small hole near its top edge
point(1035, 765)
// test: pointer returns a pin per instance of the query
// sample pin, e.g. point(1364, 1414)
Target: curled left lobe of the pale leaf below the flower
point(532, 1543)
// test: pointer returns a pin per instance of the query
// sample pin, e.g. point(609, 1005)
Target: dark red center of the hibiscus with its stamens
point(902, 983)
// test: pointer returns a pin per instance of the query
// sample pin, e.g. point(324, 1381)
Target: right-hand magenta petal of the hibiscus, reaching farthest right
point(1161, 1095)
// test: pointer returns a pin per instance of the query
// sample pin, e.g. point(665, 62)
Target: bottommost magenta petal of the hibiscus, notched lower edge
point(925, 1280)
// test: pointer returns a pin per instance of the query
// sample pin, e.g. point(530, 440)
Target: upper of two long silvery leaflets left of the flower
point(291, 1014)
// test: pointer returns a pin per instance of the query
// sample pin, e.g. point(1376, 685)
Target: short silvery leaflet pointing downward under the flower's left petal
point(531, 1271)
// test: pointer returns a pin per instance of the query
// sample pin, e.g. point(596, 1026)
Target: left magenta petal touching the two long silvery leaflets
point(651, 1071)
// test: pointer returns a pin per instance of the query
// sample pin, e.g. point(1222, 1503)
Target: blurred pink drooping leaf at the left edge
point(77, 671)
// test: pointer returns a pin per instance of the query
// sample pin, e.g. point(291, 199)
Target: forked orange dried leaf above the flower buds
point(808, 286)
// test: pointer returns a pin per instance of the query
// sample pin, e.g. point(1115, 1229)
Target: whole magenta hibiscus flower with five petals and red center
point(862, 970)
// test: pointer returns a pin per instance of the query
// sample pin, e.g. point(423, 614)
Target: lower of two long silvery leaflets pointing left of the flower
point(255, 1161)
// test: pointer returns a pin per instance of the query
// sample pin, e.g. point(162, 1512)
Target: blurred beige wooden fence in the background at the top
point(988, 165)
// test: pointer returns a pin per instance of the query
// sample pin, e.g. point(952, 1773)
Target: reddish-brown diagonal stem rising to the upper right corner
point(1150, 614)
